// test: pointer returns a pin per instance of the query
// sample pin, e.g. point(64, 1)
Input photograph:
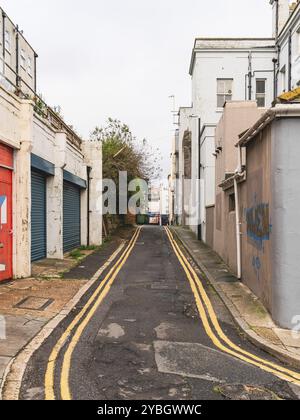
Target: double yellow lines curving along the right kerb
point(213, 328)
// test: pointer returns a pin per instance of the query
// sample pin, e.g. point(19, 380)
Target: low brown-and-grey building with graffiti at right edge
point(268, 202)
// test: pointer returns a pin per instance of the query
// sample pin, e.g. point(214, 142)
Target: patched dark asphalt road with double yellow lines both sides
point(152, 328)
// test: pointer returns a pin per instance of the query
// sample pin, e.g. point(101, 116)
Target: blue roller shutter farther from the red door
point(72, 226)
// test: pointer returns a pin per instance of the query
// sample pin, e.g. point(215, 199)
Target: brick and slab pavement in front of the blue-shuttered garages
point(28, 305)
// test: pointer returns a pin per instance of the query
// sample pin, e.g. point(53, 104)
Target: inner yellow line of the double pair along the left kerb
point(66, 366)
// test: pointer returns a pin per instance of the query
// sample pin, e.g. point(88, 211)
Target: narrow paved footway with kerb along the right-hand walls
point(249, 313)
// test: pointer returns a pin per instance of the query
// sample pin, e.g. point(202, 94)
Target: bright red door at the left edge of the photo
point(6, 162)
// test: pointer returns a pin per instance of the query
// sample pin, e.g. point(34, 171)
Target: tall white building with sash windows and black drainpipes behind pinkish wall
point(221, 70)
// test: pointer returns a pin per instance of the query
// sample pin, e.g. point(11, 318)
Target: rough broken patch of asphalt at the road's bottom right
point(246, 392)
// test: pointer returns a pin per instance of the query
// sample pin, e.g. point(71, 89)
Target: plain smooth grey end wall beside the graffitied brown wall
point(285, 221)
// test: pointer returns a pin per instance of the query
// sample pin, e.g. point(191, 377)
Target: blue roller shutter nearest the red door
point(38, 216)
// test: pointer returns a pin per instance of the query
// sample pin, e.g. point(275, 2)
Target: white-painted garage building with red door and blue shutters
point(51, 180)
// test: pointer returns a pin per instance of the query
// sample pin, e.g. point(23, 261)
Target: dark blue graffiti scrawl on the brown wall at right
point(258, 224)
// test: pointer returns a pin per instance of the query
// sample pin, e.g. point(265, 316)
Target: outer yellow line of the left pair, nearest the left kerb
point(50, 371)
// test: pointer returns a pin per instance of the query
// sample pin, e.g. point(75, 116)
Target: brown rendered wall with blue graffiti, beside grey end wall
point(256, 210)
